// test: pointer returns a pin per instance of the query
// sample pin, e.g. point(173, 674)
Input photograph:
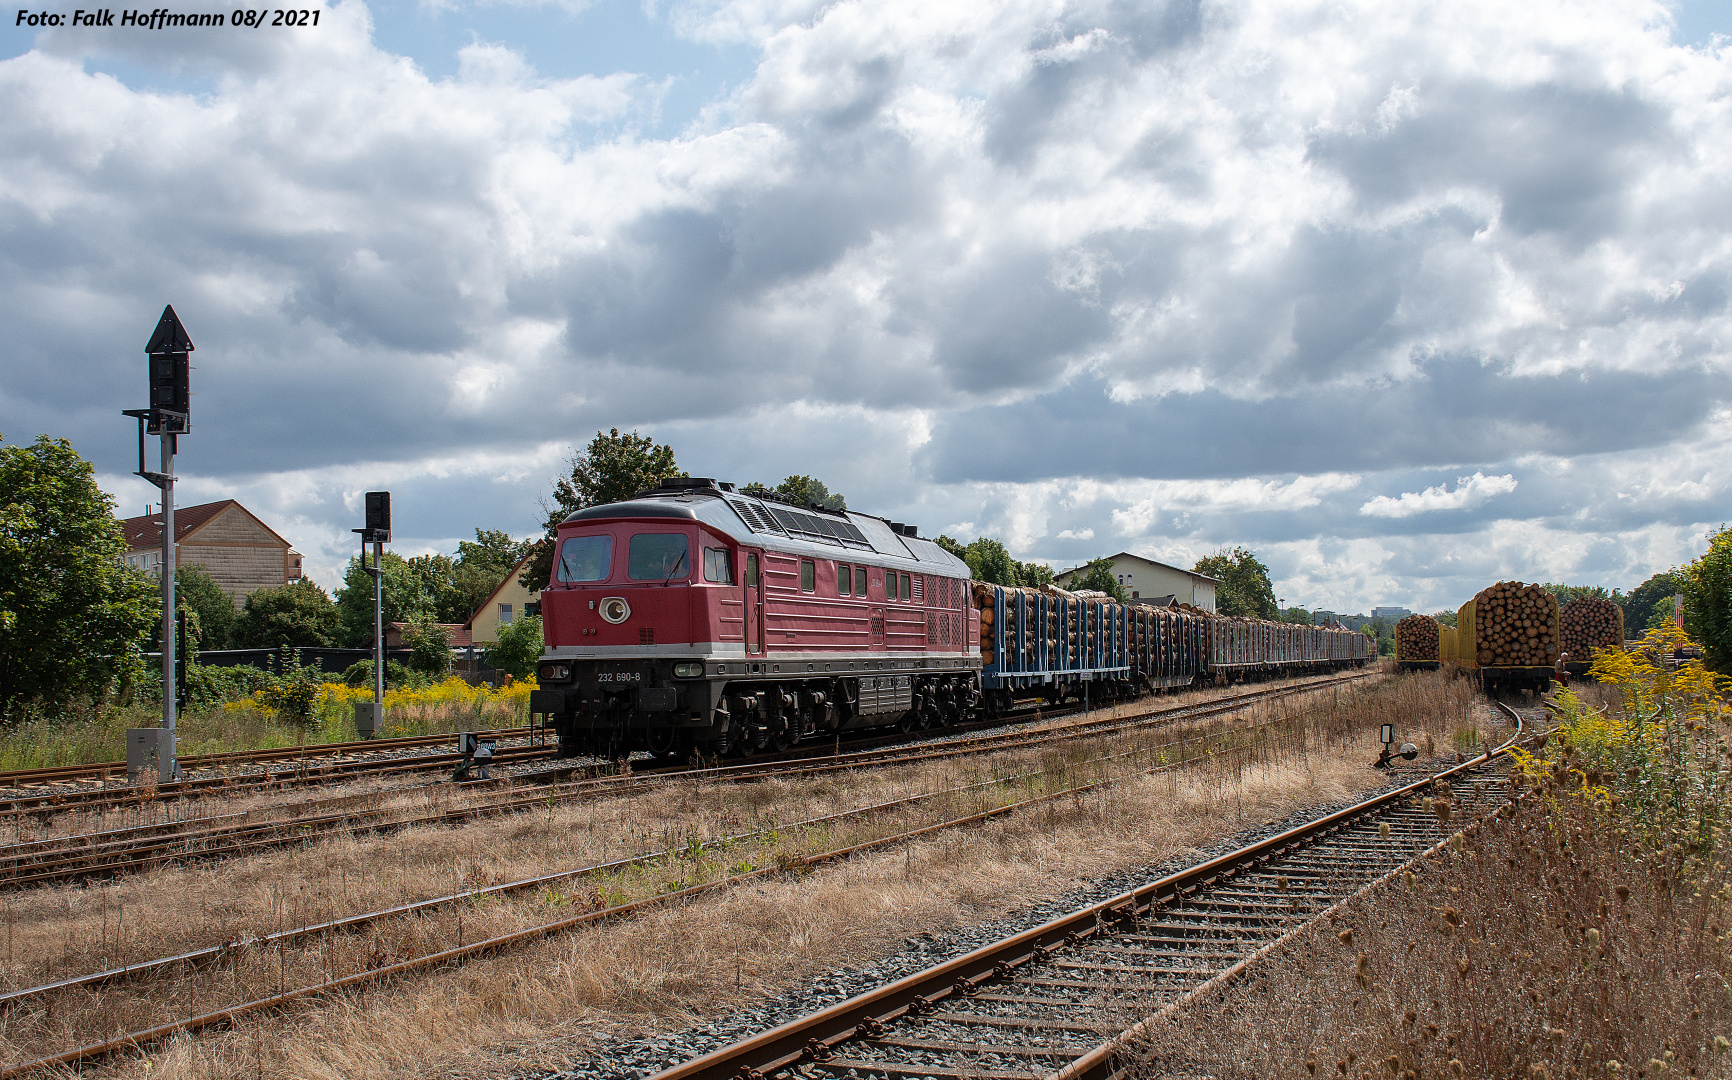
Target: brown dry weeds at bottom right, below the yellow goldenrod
point(1546, 948)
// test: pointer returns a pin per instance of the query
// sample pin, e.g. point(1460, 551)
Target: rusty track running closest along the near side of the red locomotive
point(204, 839)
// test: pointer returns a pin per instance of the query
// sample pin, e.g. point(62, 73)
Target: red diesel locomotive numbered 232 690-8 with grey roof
point(699, 620)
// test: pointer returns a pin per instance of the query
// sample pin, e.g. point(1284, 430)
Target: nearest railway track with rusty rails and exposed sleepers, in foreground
point(1035, 1003)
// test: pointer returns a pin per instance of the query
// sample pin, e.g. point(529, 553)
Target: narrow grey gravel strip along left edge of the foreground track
point(626, 1060)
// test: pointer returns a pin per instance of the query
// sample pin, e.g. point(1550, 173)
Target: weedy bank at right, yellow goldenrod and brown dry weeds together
point(1579, 934)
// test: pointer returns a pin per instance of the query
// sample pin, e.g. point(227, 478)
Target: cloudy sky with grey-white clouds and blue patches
point(1404, 297)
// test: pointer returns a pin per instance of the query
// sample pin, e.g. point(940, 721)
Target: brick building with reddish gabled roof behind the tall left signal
point(224, 539)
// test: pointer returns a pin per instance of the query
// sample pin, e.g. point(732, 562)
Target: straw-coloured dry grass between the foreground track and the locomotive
point(671, 965)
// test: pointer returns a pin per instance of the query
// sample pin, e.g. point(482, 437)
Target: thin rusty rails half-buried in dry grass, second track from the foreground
point(209, 956)
